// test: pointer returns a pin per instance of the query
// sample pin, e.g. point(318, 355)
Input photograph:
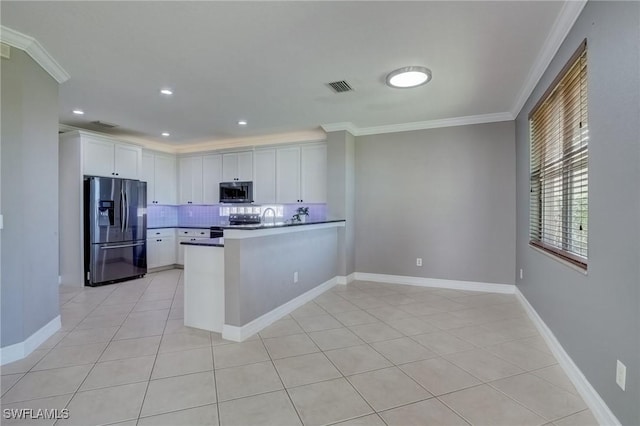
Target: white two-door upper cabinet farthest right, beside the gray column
point(301, 174)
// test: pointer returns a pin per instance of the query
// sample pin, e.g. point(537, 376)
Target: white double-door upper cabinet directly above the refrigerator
point(104, 157)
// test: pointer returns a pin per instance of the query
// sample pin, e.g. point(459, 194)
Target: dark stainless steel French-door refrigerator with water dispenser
point(115, 230)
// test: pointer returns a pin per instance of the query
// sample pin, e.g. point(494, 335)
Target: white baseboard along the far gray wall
point(436, 282)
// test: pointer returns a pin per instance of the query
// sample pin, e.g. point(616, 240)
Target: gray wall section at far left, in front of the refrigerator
point(29, 180)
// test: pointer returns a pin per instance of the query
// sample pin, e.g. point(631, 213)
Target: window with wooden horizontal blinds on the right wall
point(559, 135)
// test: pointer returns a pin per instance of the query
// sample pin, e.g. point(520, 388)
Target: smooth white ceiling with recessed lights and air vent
point(269, 62)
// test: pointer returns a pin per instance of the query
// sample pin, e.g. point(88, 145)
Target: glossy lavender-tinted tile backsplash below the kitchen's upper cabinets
point(209, 215)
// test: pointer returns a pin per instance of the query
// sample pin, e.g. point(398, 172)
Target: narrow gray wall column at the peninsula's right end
point(341, 195)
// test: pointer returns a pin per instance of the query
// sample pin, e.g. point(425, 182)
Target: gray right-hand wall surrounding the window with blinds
point(595, 317)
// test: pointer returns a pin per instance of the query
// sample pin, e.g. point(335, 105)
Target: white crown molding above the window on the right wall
point(561, 27)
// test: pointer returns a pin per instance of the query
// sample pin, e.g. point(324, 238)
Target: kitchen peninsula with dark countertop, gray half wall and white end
point(256, 274)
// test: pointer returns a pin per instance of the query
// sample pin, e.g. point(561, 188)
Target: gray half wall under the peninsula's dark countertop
point(258, 272)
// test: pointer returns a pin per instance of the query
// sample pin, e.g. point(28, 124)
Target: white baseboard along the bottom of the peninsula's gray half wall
point(238, 334)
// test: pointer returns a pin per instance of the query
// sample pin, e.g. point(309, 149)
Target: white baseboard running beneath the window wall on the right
point(598, 407)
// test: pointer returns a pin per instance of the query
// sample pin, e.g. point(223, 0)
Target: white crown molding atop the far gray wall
point(418, 125)
